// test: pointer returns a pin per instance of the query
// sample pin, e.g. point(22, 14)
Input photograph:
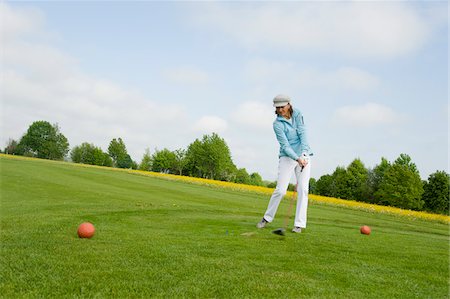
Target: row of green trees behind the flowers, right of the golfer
point(396, 184)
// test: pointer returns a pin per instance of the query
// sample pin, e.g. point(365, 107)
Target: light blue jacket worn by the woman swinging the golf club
point(292, 136)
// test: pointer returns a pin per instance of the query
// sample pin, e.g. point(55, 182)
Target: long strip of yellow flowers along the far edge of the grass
point(268, 191)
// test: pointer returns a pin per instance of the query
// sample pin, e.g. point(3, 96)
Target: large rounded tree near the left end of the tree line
point(43, 140)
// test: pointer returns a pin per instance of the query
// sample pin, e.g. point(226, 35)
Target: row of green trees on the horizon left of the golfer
point(208, 157)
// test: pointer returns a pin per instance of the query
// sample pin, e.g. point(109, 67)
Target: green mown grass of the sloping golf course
point(158, 238)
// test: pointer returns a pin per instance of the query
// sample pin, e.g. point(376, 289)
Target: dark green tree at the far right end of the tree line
point(436, 193)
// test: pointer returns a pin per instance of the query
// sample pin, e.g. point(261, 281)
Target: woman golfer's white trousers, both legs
point(287, 166)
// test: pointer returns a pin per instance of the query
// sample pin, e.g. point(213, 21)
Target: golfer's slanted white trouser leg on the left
point(286, 167)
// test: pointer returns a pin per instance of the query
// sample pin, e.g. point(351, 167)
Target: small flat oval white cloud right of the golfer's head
point(367, 115)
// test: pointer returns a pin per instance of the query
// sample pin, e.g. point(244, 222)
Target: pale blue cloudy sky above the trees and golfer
point(371, 78)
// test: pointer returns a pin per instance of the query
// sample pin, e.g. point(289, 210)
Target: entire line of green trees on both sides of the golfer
point(395, 184)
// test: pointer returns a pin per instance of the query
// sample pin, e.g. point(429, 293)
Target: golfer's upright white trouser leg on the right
point(303, 177)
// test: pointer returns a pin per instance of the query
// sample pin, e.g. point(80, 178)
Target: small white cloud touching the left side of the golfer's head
point(254, 115)
